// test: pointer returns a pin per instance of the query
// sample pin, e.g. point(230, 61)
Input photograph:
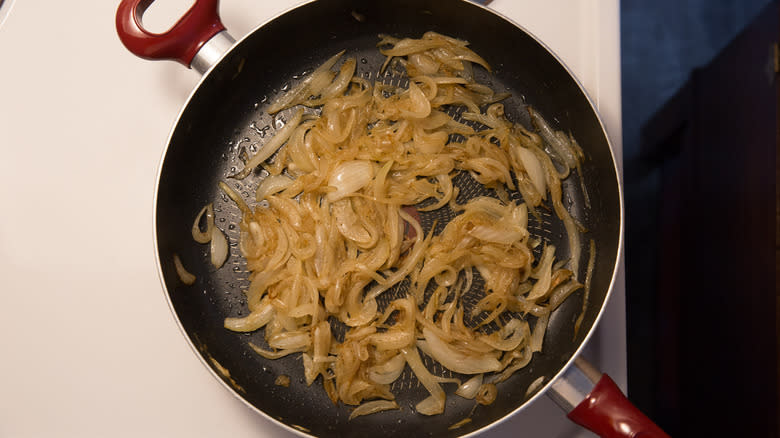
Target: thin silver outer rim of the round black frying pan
point(562, 370)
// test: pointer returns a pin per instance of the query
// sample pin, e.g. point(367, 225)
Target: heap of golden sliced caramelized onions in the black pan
point(341, 221)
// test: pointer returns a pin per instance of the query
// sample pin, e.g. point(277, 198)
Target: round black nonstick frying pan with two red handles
point(225, 118)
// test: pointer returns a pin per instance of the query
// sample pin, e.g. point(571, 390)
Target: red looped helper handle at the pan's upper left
point(180, 43)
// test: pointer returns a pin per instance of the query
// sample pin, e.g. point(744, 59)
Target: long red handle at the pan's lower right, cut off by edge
point(608, 413)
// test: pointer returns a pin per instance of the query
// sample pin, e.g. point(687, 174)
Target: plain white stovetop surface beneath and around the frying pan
point(89, 347)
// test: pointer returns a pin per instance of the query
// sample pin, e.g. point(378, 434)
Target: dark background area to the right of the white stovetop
point(700, 148)
